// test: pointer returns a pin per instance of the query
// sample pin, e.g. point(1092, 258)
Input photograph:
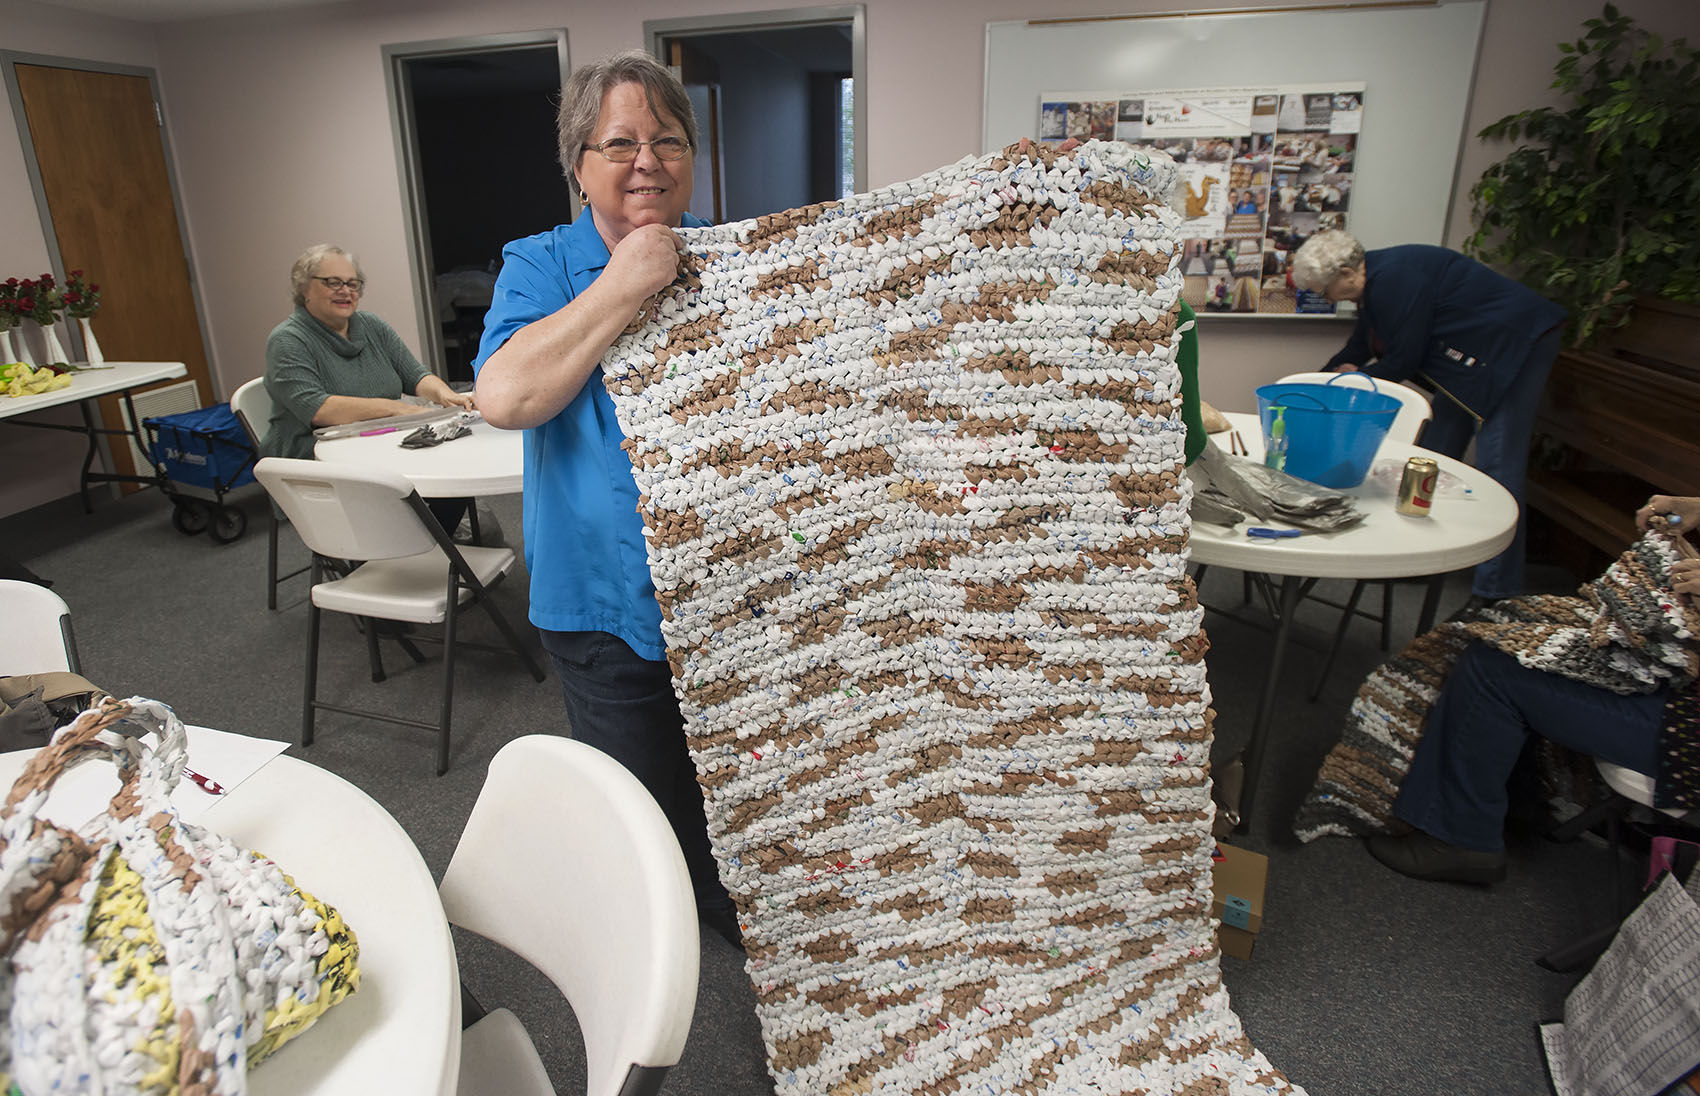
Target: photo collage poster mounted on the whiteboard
point(1262, 171)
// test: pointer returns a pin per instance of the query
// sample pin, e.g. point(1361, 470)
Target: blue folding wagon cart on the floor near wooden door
point(200, 458)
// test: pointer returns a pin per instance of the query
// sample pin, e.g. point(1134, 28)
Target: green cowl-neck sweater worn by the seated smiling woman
point(307, 364)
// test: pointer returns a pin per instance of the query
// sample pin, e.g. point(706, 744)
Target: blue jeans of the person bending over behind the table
point(1502, 451)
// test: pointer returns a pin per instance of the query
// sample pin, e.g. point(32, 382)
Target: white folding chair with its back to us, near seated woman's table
point(412, 572)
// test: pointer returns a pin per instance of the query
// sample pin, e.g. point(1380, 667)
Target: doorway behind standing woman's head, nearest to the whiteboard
point(779, 101)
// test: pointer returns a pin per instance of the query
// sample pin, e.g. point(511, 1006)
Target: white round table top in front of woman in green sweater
point(485, 463)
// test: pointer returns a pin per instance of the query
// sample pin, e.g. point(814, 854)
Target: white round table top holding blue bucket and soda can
point(1461, 533)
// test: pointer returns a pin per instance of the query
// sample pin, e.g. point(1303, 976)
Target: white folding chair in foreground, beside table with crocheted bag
point(570, 864)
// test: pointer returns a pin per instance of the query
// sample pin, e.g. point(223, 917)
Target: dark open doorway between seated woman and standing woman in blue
point(475, 135)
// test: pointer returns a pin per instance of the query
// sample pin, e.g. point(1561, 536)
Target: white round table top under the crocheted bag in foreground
point(402, 1031)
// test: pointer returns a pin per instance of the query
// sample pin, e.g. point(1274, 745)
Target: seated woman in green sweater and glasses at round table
point(332, 364)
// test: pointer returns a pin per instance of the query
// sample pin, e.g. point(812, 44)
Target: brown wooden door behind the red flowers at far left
point(101, 150)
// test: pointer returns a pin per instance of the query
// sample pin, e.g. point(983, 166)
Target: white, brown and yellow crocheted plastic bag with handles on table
point(145, 954)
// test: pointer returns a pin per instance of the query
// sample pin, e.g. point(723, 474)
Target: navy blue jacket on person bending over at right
point(1436, 312)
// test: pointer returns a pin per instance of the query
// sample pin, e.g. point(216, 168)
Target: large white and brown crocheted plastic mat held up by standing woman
point(912, 485)
